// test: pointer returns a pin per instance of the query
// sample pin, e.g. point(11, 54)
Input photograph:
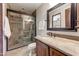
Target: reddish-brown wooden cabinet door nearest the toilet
point(41, 49)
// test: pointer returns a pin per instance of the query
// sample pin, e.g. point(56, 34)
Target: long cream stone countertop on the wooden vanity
point(70, 47)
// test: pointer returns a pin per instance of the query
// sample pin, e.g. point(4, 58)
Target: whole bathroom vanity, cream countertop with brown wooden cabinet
point(56, 46)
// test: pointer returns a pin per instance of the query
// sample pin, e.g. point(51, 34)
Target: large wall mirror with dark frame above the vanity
point(62, 17)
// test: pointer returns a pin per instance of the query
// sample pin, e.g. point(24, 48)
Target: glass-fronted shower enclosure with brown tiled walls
point(22, 29)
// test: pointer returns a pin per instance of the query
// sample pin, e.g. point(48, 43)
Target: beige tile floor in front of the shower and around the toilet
point(23, 51)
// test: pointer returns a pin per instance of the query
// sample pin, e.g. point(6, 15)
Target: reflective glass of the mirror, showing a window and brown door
point(60, 21)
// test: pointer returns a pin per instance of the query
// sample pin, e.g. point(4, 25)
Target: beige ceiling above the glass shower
point(28, 8)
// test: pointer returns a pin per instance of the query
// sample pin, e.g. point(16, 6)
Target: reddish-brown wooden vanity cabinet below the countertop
point(45, 50)
